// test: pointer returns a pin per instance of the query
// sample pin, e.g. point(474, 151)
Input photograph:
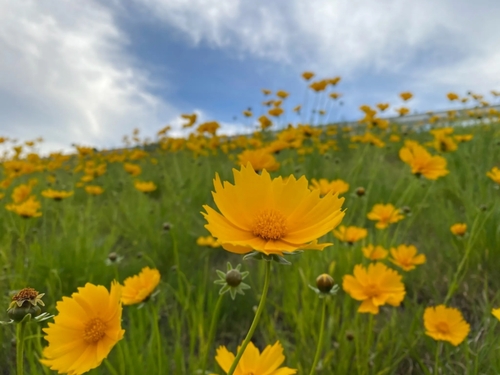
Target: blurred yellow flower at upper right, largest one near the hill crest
point(422, 163)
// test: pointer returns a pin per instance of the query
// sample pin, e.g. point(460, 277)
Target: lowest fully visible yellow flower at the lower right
point(445, 324)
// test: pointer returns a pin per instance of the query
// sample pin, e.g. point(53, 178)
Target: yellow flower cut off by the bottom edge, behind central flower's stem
point(255, 363)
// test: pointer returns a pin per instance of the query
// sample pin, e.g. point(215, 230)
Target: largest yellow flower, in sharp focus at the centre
point(269, 215)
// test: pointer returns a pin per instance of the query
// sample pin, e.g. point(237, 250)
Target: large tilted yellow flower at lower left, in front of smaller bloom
point(85, 330)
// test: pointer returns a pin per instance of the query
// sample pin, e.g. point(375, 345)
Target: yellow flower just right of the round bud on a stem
point(375, 286)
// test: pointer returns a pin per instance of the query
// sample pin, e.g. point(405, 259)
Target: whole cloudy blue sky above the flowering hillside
point(89, 72)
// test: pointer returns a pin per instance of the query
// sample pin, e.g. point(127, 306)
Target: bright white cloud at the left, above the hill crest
point(65, 76)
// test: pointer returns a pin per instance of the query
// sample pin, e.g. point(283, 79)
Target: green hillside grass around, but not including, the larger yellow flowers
point(111, 236)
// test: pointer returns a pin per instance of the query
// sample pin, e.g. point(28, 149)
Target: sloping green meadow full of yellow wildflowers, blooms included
point(300, 246)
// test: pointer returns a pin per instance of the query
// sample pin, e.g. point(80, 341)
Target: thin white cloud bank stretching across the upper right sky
point(387, 36)
